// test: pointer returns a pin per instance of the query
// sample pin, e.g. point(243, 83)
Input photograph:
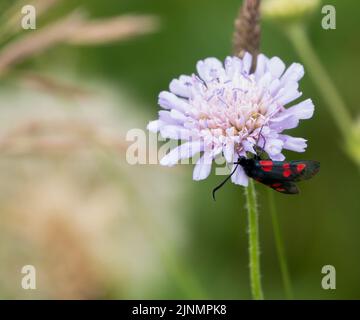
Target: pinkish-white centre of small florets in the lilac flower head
point(229, 109)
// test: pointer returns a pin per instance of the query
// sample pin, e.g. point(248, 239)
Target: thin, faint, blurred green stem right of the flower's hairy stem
point(280, 247)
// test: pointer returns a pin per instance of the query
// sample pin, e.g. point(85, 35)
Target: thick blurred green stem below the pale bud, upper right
point(320, 77)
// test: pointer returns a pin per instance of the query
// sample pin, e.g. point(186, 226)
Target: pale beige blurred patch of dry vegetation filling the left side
point(70, 204)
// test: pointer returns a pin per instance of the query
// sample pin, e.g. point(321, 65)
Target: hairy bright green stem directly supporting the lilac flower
point(254, 249)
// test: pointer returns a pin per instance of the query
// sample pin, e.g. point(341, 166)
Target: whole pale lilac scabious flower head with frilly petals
point(227, 109)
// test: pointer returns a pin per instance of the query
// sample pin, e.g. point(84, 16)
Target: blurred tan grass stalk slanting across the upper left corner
point(74, 29)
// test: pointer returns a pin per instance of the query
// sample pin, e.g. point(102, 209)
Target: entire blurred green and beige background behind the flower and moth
point(95, 226)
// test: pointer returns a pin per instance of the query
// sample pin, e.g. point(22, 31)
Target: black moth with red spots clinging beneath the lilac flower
point(278, 175)
